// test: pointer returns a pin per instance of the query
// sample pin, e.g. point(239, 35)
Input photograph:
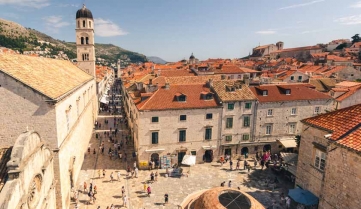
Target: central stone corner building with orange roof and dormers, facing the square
point(175, 120)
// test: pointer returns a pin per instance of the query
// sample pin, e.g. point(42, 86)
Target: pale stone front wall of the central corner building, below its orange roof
point(168, 129)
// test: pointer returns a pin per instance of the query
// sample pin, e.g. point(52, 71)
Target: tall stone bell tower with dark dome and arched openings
point(85, 40)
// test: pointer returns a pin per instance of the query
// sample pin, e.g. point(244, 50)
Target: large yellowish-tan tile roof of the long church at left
point(50, 77)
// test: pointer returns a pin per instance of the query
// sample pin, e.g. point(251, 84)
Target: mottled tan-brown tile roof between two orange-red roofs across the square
point(243, 93)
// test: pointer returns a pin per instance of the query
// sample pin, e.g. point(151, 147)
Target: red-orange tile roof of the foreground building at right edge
point(344, 124)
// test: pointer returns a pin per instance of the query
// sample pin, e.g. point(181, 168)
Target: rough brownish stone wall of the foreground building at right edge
point(338, 184)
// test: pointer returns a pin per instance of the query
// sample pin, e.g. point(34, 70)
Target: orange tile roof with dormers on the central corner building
point(164, 99)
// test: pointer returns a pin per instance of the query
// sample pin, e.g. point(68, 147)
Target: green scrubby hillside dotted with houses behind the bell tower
point(30, 41)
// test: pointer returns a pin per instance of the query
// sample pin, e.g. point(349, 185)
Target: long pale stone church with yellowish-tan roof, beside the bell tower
point(58, 100)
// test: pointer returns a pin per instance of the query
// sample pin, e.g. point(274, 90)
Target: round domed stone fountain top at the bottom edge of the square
point(221, 198)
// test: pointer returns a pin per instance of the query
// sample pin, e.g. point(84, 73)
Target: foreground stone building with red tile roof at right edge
point(329, 157)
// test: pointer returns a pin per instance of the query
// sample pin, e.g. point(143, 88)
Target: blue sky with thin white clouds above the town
point(173, 29)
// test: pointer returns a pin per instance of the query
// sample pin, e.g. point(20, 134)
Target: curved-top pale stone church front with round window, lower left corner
point(30, 171)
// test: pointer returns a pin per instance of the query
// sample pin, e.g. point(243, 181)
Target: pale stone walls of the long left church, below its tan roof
point(67, 125)
